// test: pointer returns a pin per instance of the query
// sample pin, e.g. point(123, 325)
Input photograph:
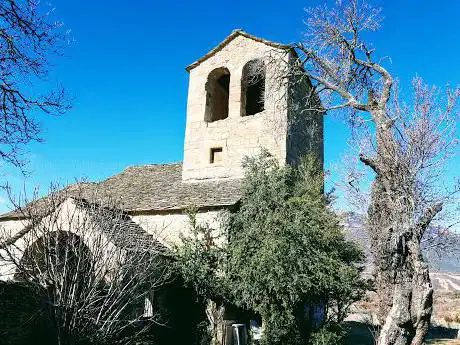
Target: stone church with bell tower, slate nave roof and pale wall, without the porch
point(239, 101)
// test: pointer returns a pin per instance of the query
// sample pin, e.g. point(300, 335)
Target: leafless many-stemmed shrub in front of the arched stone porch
point(98, 269)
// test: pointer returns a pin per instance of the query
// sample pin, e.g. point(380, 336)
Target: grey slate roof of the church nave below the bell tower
point(152, 188)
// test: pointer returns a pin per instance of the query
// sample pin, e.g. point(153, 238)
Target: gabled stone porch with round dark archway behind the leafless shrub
point(90, 242)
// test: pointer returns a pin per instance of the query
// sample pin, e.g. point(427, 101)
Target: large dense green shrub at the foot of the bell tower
point(280, 251)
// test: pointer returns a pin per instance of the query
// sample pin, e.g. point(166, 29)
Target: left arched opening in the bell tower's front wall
point(217, 94)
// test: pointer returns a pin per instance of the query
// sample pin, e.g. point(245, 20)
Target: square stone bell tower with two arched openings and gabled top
point(238, 104)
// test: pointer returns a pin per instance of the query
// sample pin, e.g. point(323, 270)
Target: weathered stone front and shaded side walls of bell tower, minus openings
point(283, 127)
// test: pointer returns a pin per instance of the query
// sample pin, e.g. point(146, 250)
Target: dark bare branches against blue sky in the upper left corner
point(29, 38)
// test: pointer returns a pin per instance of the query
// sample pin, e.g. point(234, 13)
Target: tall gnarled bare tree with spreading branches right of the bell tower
point(404, 144)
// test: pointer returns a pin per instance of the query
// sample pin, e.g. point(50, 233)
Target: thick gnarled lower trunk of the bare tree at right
point(403, 283)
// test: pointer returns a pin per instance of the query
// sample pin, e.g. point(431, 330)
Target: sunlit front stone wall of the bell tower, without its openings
point(238, 136)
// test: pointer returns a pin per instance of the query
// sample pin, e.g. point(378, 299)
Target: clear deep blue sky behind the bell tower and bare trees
point(126, 74)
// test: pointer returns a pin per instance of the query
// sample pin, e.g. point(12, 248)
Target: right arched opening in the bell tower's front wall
point(253, 88)
